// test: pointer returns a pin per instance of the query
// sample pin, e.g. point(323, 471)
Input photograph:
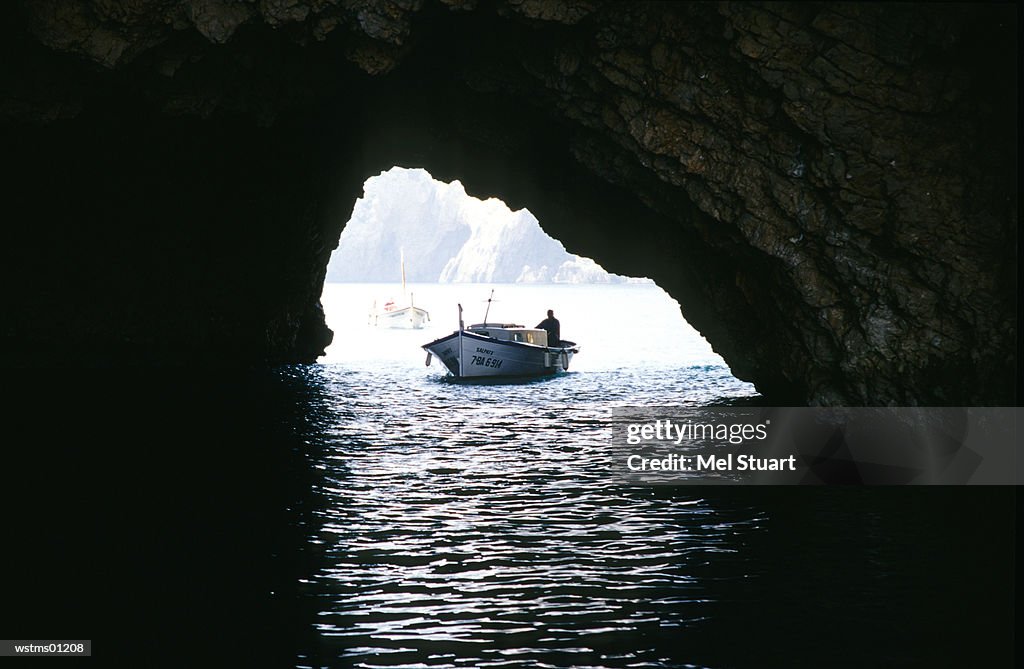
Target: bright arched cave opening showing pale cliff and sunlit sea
point(415, 240)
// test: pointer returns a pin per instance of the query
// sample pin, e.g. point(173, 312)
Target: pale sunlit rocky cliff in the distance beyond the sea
point(449, 237)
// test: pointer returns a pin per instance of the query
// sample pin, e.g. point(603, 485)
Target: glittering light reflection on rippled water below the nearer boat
point(476, 525)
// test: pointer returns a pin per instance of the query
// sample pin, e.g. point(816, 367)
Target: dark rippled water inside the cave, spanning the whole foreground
point(312, 518)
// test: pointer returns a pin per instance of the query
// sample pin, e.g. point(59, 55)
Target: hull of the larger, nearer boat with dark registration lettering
point(472, 356)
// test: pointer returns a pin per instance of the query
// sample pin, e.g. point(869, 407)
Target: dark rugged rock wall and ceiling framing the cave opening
point(830, 191)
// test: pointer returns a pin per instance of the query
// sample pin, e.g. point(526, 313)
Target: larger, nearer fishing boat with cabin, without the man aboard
point(495, 350)
